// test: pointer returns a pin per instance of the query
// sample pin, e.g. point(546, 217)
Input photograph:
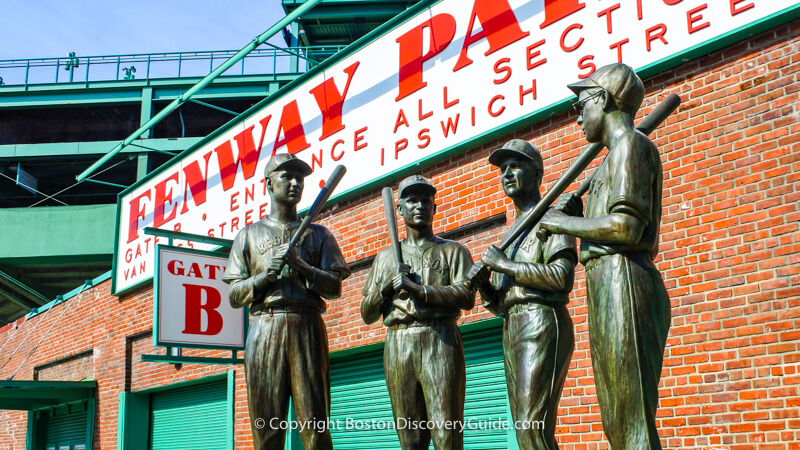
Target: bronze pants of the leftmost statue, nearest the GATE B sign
point(286, 354)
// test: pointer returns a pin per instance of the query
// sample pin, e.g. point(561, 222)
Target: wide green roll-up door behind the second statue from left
point(358, 393)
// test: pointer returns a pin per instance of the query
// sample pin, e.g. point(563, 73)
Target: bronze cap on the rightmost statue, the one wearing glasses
point(620, 81)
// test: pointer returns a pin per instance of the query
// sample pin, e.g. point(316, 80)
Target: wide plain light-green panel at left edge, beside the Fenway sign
point(57, 231)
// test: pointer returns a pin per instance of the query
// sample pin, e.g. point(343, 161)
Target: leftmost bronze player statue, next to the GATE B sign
point(286, 354)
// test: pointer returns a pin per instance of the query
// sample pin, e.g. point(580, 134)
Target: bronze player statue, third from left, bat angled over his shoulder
point(530, 289)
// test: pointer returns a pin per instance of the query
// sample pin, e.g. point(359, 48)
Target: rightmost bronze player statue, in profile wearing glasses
point(629, 309)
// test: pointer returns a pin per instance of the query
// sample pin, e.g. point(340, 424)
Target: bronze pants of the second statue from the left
point(425, 377)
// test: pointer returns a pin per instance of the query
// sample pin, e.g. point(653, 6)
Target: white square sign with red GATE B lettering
point(191, 301)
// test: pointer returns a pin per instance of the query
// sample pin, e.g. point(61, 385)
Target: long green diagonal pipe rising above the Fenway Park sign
point(200, 85)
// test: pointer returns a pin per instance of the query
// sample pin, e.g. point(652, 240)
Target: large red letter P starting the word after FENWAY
point(442, 29)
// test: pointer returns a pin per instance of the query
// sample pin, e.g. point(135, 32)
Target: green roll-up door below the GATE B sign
point(192, 417)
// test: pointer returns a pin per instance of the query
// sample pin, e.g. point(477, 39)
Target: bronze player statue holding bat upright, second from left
point(424, 358)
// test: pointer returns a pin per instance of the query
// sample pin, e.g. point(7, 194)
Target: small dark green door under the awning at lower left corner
point(64, 427)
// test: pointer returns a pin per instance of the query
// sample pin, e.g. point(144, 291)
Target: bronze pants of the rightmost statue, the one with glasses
point(629, 318)
